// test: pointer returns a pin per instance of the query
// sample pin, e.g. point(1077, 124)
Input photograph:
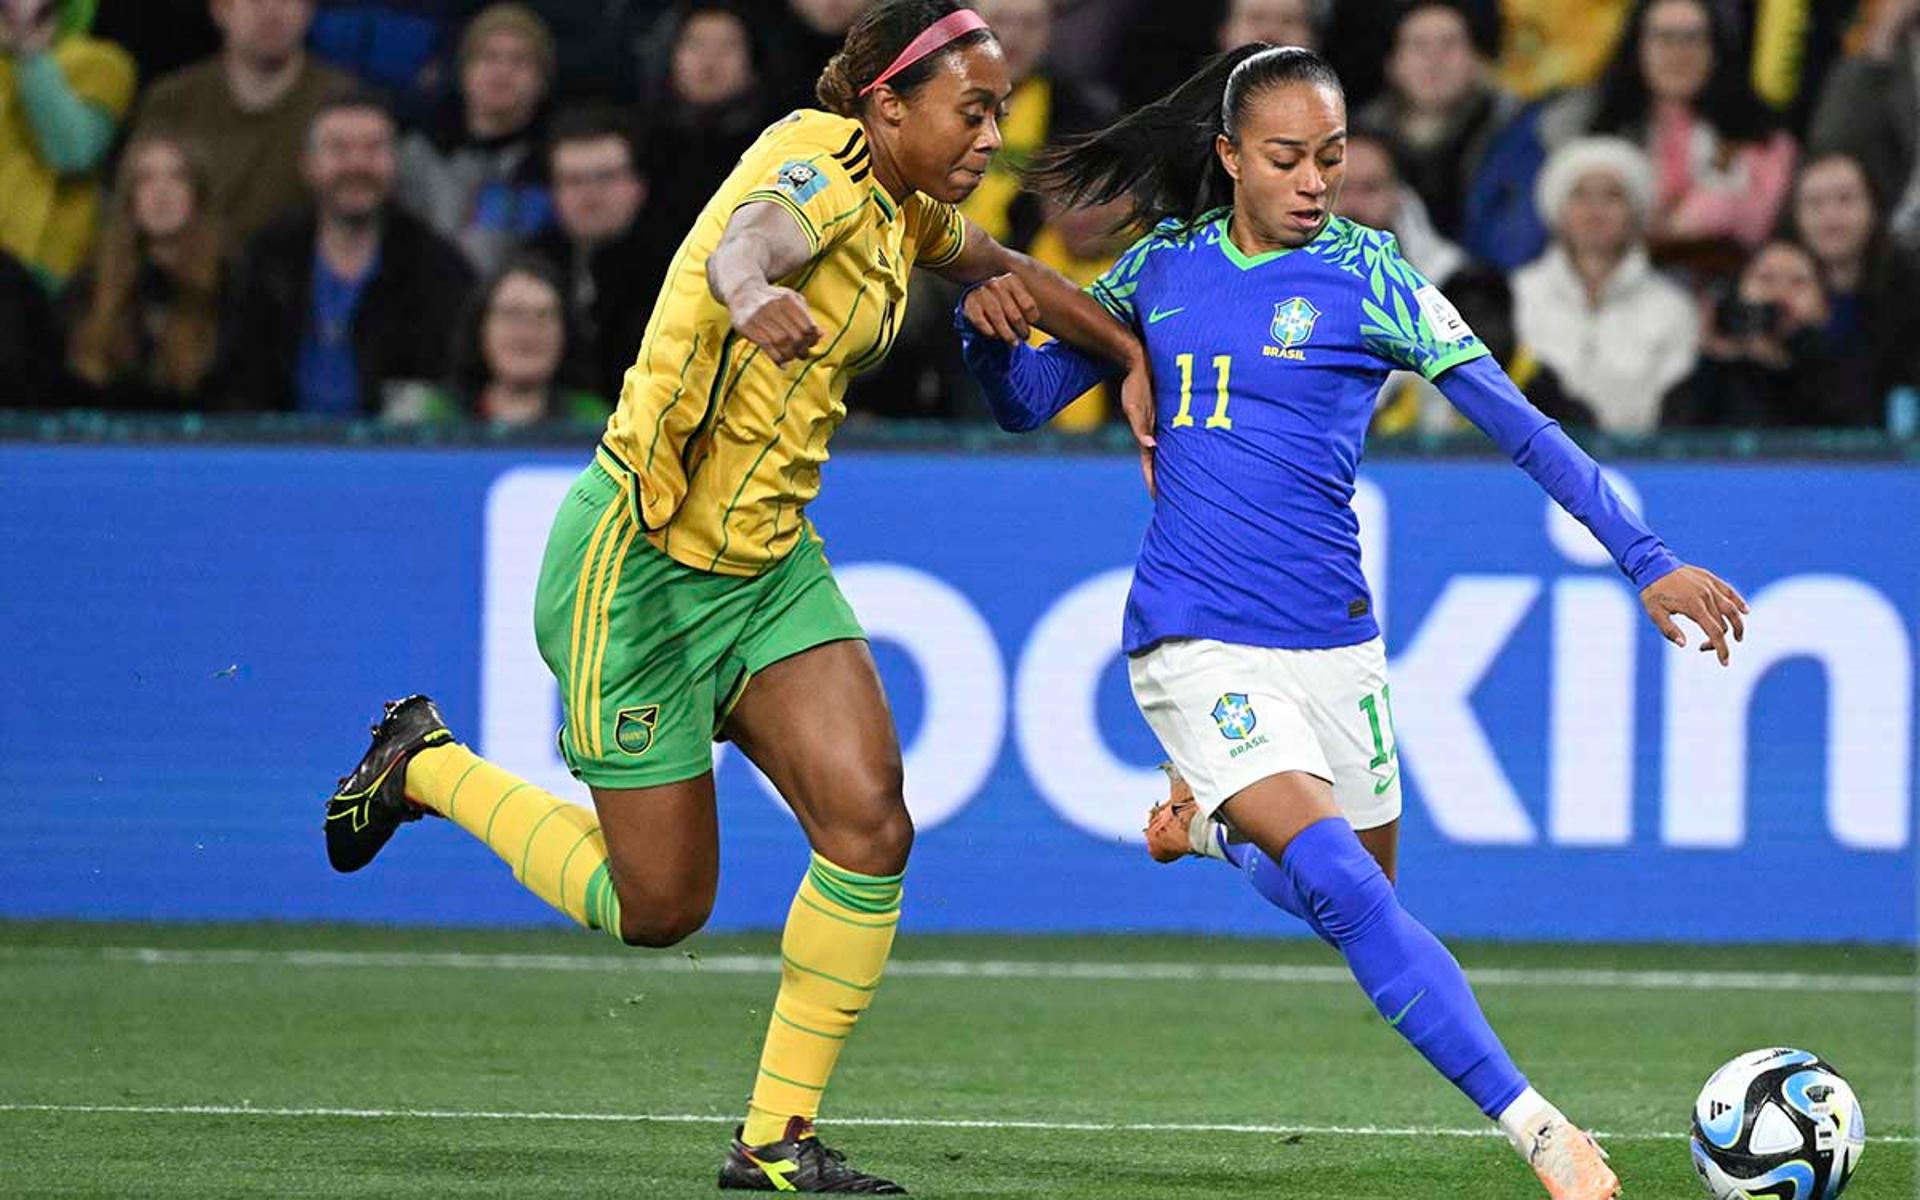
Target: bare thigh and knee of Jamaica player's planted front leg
point(821, 731)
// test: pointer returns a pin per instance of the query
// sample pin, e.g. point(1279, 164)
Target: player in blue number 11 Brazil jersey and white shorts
point(1253, 646)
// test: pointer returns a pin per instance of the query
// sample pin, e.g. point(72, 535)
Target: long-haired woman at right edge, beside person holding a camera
point(1871, 281)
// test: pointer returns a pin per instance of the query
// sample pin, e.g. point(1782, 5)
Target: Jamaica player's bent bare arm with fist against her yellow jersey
point(763, 243)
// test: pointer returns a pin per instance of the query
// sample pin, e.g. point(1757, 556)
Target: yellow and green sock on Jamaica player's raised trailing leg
point(554, 848)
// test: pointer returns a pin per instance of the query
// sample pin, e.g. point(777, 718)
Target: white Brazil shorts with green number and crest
point(1234, 715)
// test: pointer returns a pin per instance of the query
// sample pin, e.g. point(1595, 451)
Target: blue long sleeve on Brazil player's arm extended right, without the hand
point(1483, 393)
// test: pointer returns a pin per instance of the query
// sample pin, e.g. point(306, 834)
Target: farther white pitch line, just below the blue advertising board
point(938, 969)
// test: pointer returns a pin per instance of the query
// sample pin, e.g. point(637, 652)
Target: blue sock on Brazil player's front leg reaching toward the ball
point(1403, 969)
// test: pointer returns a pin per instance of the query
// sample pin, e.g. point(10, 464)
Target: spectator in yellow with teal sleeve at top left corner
point(62, 99)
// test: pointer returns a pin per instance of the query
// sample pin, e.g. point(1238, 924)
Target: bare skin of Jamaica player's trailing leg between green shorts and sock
point(663, 852)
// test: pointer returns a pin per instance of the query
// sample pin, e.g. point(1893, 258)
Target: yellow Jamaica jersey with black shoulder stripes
point(719, 448)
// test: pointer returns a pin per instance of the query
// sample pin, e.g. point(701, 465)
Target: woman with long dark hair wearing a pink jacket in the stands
point(1677, 87)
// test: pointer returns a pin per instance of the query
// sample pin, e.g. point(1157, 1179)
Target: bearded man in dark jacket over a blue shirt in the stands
point(347, 299)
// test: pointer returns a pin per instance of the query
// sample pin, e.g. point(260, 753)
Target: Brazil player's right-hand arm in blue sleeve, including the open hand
point(1669, 588)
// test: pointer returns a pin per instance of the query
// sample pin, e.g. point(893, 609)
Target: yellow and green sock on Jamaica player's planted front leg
point(840, 934)
